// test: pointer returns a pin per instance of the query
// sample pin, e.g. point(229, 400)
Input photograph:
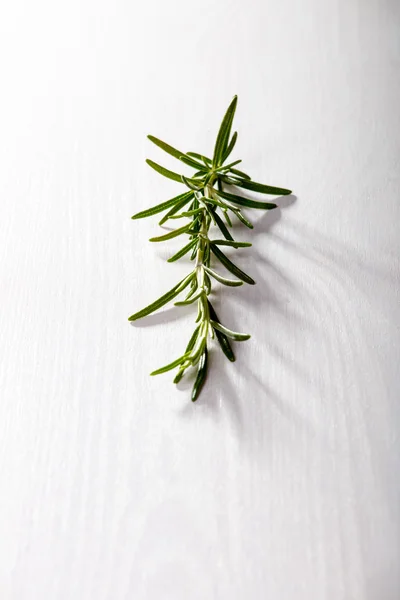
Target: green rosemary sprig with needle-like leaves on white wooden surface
point(205, 203)
